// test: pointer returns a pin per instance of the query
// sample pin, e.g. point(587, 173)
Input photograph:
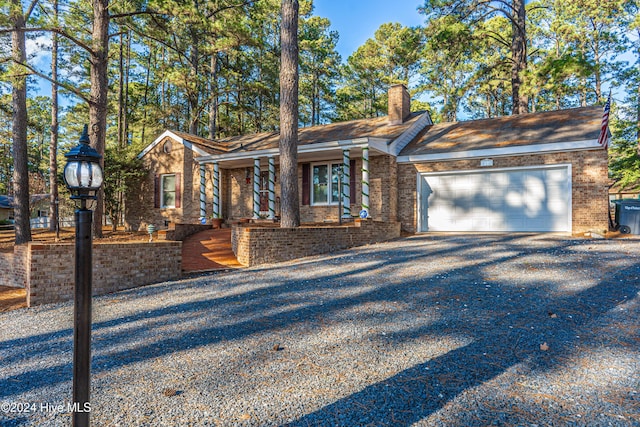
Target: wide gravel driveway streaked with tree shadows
point(438, 330)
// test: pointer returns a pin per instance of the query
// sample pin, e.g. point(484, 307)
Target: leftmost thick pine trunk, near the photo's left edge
point(19, 126)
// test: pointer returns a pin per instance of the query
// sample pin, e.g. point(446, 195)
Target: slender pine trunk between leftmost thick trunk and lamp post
point(53, 144)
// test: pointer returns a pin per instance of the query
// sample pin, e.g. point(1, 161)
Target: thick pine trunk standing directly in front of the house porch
point(289, 201)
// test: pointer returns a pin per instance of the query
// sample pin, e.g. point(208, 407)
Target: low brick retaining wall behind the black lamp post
point(116, 266)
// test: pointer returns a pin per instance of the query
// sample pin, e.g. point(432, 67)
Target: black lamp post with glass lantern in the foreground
point(83, 177)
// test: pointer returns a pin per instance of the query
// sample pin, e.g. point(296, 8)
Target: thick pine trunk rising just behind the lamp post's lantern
point(98, 95)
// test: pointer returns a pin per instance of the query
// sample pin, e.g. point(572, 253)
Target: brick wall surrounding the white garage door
point(590, 200)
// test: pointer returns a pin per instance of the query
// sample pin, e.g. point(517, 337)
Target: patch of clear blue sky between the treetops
point(357, 20)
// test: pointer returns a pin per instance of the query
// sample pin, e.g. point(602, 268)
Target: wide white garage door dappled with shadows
point(533, 199)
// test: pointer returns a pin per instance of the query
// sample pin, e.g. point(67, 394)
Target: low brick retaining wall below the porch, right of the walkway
point(262, 245)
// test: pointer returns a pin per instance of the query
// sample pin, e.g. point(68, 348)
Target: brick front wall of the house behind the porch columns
point(237, 196)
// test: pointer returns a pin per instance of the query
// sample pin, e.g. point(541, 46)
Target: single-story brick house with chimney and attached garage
point(533, 172)
